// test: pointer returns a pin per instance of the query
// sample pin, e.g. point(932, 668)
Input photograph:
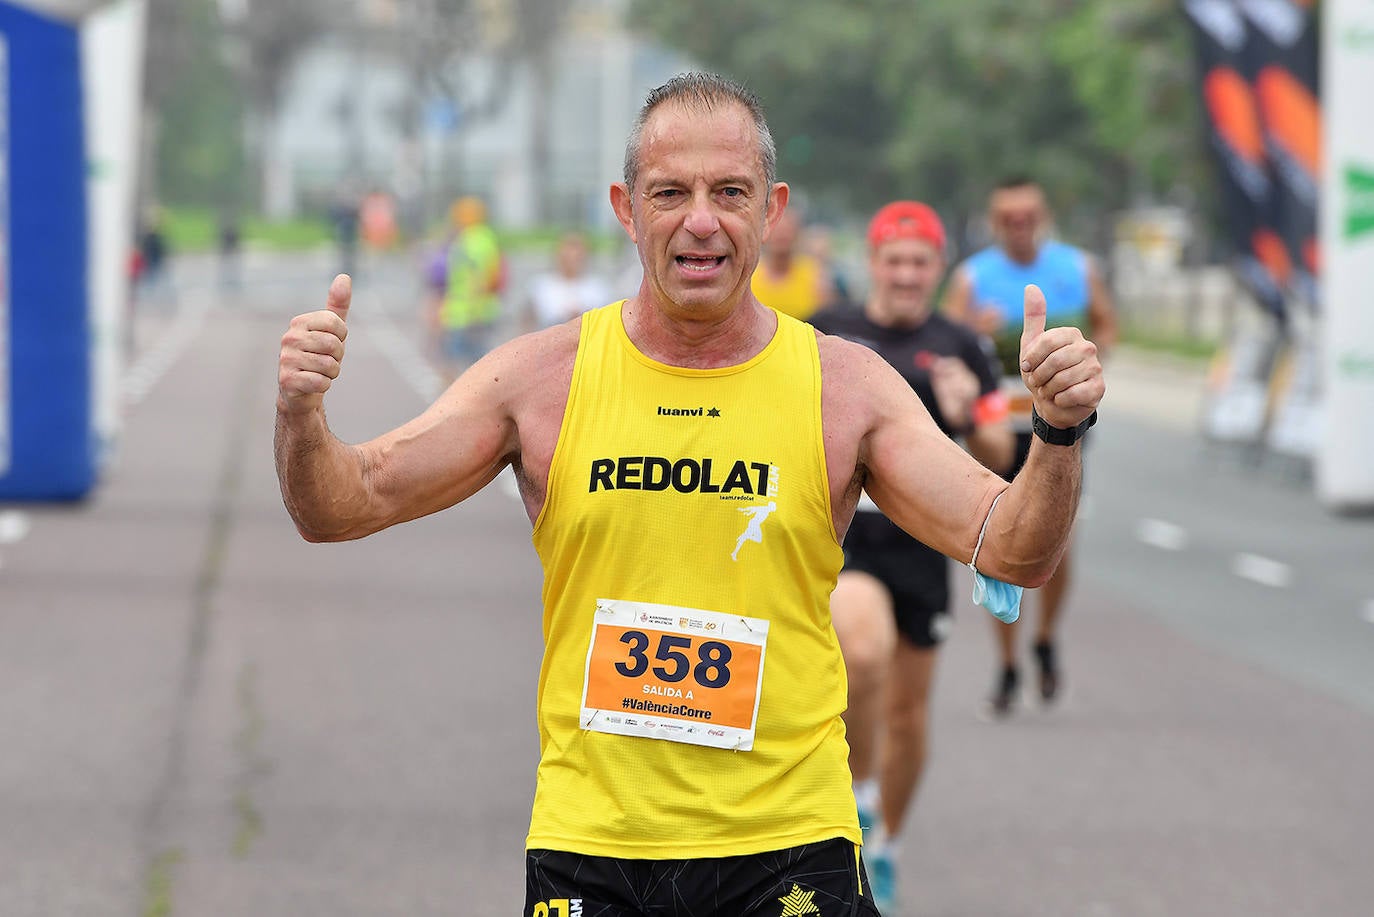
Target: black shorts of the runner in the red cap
point(917, 577)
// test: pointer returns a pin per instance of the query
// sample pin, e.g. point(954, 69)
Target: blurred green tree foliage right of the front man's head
point(875, 100)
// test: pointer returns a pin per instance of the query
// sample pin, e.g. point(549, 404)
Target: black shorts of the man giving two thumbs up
point(814, 881)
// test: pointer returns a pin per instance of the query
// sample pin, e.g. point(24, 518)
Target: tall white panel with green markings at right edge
point(1346, 460)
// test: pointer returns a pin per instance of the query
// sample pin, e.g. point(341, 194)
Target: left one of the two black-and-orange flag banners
point(1226, 46)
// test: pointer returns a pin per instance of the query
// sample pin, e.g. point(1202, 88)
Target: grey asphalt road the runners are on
point(203, 716)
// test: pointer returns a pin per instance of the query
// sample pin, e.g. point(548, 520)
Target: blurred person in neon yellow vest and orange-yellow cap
point(472, 302)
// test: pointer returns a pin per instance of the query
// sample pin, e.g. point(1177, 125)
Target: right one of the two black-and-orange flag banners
point(1283, 67)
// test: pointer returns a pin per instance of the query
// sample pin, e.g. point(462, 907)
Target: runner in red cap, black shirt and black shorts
point(891, 604)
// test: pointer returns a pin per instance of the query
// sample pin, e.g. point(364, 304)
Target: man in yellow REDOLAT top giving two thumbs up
point(692, 746)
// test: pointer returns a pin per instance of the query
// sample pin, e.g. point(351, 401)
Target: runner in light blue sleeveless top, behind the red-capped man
point(986, 294)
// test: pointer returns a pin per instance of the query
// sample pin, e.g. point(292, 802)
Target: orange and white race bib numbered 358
point(675, 674)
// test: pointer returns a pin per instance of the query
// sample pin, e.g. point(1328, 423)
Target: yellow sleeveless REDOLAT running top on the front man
point(692, 687)
